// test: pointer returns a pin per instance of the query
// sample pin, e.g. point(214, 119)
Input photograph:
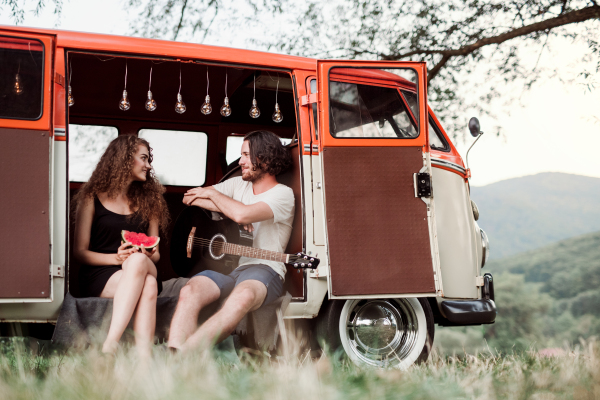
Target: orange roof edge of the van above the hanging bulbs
point(169, 49)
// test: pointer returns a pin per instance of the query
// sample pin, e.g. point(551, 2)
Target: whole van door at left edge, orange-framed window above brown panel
point(25, 165)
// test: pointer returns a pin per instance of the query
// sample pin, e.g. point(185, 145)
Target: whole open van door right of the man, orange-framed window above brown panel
point(377, 179)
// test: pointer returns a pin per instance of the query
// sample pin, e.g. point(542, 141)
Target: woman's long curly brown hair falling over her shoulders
point(112, 174)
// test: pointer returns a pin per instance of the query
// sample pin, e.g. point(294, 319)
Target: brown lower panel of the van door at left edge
point(24, 214)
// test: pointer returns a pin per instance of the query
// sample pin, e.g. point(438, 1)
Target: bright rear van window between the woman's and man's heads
point(179, 156)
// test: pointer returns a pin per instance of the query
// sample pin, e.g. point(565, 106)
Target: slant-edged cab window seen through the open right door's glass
point(368, 111)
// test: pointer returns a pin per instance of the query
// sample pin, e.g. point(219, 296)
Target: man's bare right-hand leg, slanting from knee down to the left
point(247, 296)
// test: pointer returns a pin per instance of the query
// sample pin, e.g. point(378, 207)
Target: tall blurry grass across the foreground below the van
point(42, 374)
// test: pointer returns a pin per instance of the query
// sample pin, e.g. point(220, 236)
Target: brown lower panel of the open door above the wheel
point(377, 229)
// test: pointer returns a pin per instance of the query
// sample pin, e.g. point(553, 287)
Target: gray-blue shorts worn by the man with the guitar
point(257, 272)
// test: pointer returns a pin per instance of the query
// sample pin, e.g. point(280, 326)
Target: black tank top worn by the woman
point(107, 226)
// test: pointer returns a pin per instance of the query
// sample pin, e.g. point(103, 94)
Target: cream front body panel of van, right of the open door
point(456, 237)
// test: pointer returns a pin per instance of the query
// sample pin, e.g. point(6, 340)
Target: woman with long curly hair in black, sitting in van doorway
point(122, 194)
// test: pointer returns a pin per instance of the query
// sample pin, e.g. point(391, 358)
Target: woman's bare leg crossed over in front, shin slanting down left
point(125, 291)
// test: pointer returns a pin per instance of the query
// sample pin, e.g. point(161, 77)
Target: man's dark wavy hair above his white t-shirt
point(267, 153)
